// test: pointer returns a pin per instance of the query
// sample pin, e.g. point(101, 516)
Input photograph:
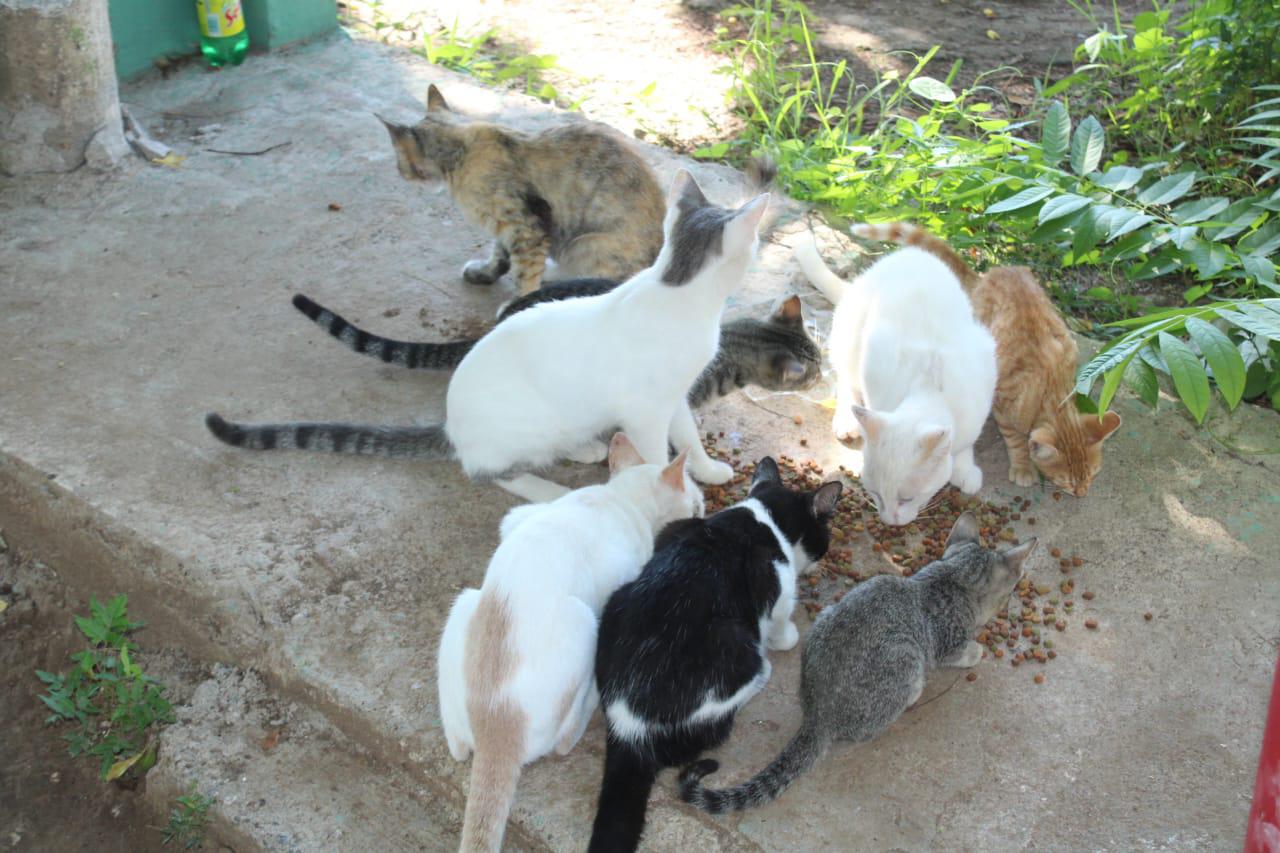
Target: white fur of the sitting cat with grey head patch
point(548, 382)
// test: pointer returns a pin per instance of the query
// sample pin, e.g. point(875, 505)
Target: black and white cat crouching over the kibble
point(682, 649)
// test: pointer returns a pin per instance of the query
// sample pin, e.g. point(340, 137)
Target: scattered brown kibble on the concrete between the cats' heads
point(1023, 633)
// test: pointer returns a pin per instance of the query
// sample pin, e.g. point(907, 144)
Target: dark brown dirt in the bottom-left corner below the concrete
point(48, 800)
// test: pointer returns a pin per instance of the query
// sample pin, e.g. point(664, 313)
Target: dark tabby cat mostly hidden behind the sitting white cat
point(775, 354)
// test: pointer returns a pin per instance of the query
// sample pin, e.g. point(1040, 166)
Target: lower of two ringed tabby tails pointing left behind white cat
point(426, 443)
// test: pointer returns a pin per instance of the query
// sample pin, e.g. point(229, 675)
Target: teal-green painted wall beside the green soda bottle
point(148, 30)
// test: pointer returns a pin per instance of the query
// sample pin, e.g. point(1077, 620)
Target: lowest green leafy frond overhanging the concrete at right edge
point(1236, 343)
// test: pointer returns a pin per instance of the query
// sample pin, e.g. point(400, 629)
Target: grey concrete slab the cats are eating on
point(135, 303)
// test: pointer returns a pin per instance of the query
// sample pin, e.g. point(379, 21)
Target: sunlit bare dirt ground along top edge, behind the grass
point(653, 69)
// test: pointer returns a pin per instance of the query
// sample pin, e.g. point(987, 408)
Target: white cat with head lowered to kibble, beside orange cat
point(916, 376)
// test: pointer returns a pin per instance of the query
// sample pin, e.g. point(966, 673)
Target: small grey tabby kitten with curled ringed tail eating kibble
point(867, 658)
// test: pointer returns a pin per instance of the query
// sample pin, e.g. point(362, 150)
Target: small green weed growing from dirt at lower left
point(108, 699)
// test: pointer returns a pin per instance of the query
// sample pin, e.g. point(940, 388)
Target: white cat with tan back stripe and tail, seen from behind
point(518, 656)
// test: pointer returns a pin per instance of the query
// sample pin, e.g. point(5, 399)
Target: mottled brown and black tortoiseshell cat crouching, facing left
point(577, 194)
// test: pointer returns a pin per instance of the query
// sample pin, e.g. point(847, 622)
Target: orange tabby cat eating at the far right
point(1036, 358)
